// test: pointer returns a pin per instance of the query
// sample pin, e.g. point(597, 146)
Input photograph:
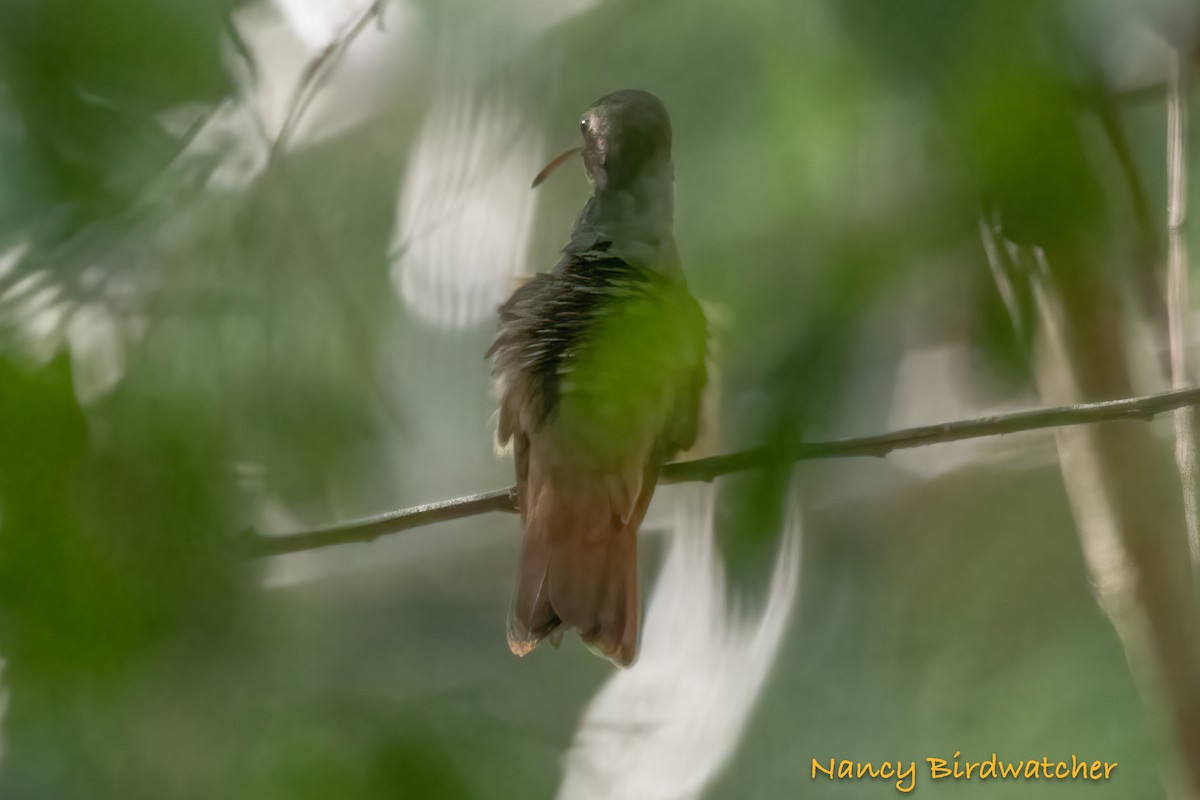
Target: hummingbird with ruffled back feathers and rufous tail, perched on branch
point(599, 368)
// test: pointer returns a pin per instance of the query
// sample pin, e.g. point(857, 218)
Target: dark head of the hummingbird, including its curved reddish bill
point(627, 135)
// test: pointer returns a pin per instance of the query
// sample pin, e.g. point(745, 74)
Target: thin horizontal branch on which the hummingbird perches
point(707, 470)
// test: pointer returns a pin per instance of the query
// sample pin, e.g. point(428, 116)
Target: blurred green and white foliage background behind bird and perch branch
point(250, 256)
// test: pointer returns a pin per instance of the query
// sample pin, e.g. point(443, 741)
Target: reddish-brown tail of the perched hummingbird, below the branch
point(579, 560)
